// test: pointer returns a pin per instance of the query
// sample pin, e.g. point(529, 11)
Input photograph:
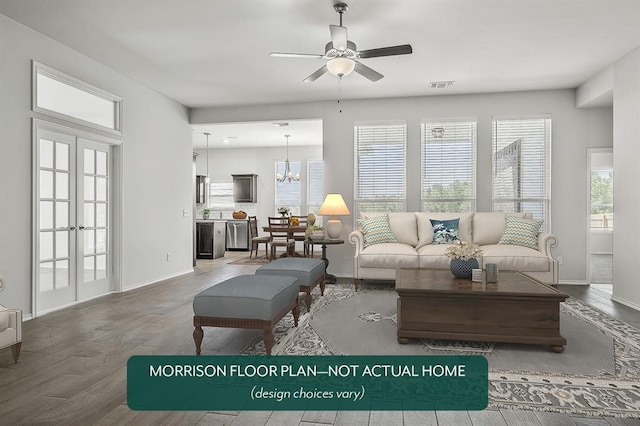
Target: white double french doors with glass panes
point(72, 245)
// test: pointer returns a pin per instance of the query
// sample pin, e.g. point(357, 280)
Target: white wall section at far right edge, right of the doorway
point(626, 157)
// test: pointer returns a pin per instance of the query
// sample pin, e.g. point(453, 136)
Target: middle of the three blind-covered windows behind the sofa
point(449, 166)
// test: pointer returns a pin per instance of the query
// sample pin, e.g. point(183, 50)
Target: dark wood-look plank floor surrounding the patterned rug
point(72, 369)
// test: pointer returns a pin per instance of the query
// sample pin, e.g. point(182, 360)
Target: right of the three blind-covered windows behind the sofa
point(521, 166)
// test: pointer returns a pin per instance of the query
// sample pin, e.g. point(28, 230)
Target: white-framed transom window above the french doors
point(63, 96)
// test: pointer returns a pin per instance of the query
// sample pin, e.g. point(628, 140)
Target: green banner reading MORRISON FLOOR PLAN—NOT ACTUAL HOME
point(307, 383)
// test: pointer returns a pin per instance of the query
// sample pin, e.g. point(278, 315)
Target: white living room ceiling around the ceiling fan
point(214, 53)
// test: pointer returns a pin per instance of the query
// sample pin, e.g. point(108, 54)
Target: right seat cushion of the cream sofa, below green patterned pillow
point(515, 258)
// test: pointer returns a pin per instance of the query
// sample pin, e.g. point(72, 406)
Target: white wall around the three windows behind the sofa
point(574, 130)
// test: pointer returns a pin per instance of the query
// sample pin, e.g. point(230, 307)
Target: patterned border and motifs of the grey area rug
point(599, 393)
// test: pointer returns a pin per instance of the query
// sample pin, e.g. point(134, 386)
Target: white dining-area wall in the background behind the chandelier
point(225, 162)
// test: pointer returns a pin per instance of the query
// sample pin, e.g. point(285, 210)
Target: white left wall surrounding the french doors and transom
point(157, 166)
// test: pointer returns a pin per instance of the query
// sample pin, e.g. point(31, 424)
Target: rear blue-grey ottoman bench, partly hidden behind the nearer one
point(309, 272)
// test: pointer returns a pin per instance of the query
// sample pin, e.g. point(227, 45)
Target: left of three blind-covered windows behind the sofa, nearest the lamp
point(380, 167)
